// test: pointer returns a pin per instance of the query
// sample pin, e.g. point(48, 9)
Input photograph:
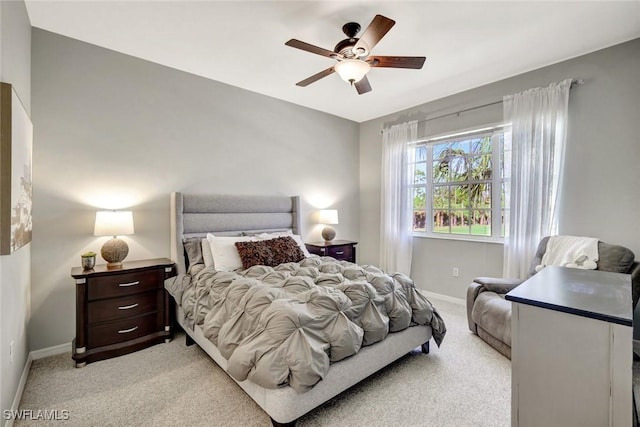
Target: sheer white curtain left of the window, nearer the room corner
point(396, 242)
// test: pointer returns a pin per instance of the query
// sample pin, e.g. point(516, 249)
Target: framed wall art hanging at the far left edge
point(16, 190)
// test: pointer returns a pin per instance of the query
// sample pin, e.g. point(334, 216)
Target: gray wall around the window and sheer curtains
point(601, 195)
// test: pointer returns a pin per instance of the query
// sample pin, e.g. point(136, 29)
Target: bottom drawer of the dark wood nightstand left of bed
point(124, 330)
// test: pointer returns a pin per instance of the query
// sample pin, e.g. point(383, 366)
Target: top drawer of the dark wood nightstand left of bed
point(124, 284)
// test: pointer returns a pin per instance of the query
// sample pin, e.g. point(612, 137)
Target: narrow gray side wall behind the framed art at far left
point(15, 68)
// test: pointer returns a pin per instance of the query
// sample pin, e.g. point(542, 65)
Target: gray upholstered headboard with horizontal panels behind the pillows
point(194, 215)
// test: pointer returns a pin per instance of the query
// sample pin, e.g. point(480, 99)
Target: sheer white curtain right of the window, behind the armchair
point(535, 134)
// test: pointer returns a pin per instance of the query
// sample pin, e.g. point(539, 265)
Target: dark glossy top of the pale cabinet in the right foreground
point(589, 293)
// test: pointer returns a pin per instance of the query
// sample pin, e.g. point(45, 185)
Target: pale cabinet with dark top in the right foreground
point(571, 349)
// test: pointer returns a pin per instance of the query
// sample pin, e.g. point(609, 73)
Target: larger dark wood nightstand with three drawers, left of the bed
point(119, 311)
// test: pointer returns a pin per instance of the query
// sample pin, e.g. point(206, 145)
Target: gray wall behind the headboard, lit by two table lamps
point(113, 131)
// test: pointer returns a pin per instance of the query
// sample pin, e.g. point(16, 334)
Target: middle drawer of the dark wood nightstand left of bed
point(129, 306)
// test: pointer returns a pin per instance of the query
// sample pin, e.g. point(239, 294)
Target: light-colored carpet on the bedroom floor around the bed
point(464, 383)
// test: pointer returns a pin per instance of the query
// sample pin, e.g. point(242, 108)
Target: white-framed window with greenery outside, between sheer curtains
point(454, 187)
